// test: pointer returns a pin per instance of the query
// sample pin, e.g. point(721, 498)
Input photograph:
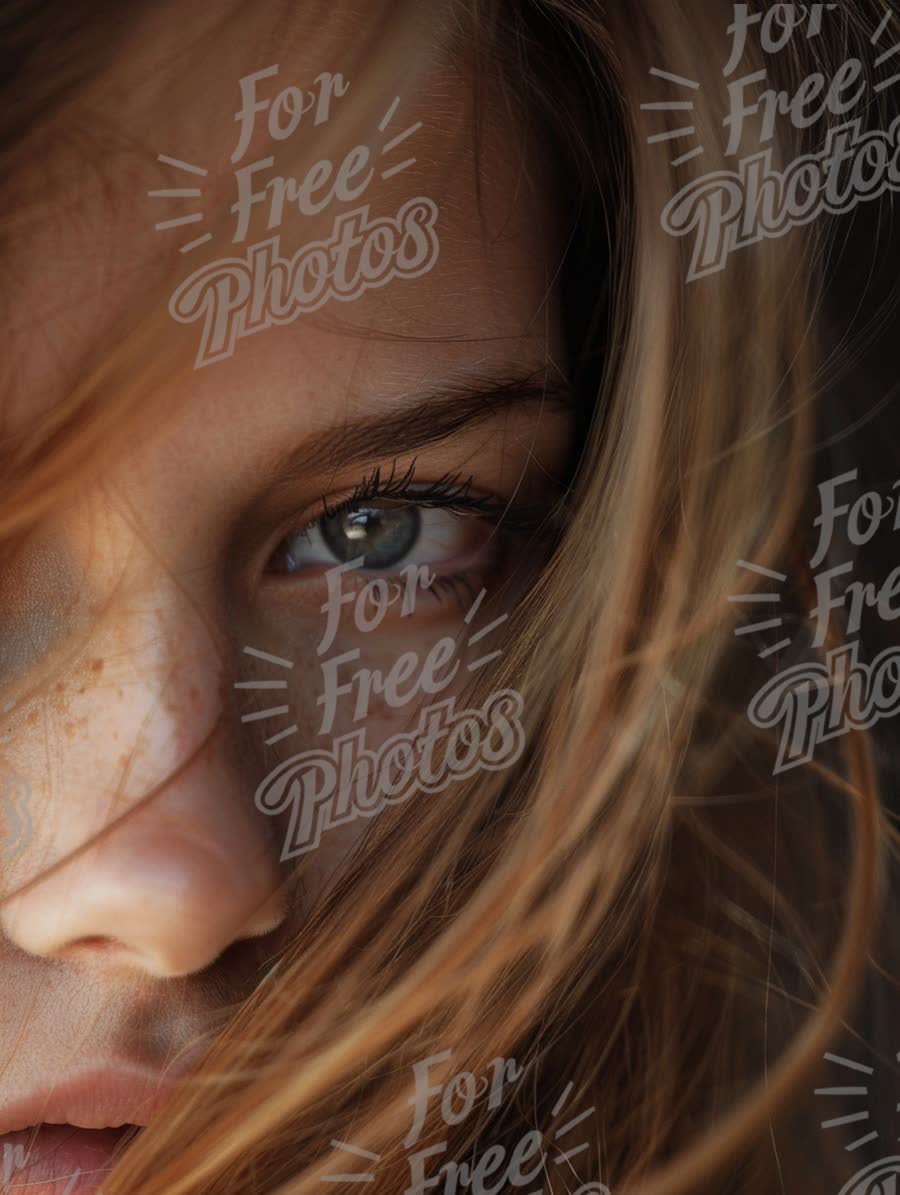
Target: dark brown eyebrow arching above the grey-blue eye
point(455, 407)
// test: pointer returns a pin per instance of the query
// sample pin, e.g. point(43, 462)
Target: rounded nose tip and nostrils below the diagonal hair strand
point(166, 892)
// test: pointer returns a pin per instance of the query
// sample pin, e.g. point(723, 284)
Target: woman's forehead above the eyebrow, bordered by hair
point(211, 134)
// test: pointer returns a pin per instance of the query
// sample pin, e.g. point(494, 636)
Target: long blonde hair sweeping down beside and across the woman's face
point(608, 914)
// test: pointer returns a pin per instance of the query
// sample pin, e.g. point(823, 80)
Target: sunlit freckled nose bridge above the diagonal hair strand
point(138, 697)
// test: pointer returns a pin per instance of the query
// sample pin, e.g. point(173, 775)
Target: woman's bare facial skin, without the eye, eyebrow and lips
point(128, 612)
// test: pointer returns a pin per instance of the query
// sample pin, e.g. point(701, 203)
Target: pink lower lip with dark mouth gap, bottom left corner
point(60, 1160)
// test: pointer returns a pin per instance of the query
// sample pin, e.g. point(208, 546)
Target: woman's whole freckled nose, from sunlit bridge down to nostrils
point(161, 884)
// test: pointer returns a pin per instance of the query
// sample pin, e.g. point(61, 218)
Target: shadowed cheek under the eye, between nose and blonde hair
point(376, 698)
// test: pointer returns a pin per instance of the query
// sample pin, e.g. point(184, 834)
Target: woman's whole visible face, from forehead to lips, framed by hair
point(175, 630)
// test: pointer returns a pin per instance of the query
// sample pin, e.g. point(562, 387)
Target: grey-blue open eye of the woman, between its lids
point(385, 537)
